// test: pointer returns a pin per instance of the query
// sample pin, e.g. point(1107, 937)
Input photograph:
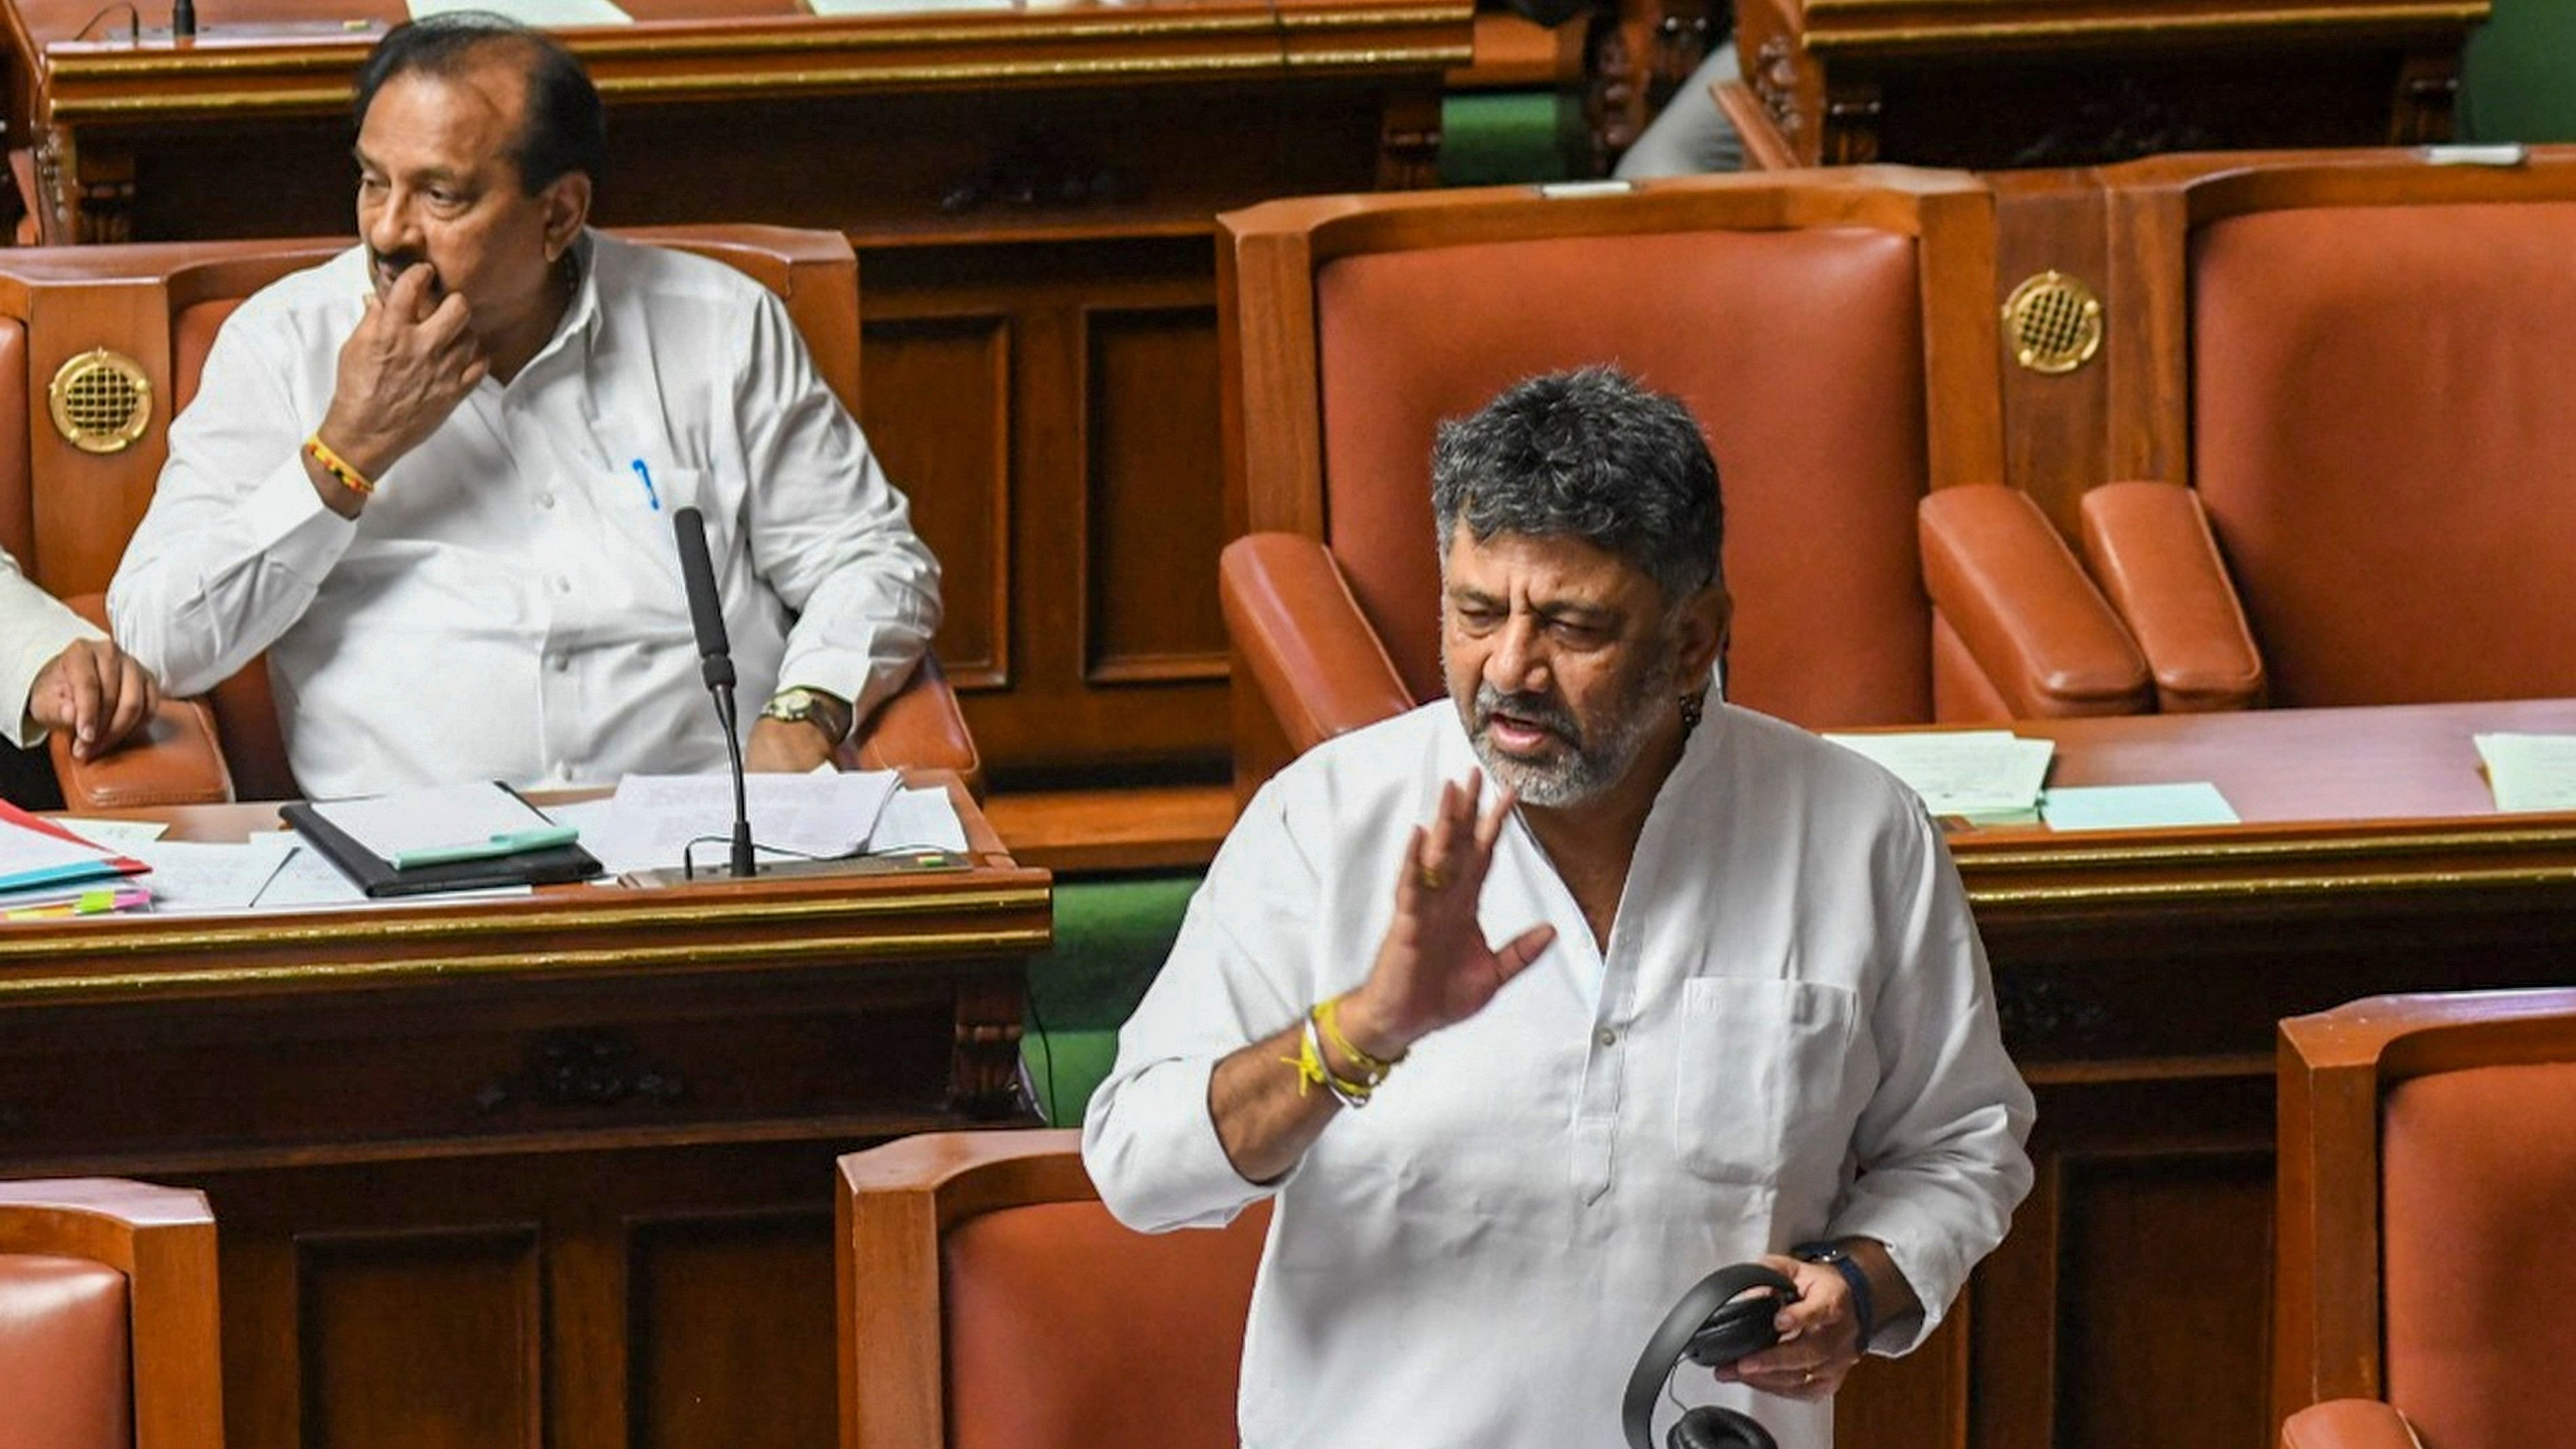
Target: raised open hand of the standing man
point(1436, 969)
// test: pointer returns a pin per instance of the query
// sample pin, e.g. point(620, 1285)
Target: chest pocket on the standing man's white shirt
point(1758, 1075)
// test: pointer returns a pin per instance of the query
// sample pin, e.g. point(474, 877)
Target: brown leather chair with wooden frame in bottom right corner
point(2428, 1180)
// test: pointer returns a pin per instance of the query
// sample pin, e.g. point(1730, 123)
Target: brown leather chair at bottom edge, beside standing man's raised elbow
point(990, 1304)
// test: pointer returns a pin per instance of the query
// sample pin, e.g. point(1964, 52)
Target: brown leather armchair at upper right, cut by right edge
point(2340, 392)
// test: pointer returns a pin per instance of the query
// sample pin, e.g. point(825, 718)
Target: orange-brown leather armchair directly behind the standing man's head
point(1828, 328)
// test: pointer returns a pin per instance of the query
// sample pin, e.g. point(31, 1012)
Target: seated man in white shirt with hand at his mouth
point(437, 475)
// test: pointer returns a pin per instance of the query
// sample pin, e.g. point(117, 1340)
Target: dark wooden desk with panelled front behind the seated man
point(1032, 194)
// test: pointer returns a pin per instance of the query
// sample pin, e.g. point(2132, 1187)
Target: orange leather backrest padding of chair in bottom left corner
point(63, 1355)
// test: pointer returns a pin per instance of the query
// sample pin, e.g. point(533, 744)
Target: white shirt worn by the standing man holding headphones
point(1794, 1038)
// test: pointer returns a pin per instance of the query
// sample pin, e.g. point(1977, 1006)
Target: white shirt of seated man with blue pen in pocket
point(509, 606)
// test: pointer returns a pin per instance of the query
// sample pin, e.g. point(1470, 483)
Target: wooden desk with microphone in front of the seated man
point(529, 1172)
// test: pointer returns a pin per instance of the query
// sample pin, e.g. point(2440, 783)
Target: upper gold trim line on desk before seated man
point(377, 930)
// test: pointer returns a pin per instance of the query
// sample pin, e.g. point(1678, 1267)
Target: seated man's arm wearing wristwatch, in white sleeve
point(831, 537)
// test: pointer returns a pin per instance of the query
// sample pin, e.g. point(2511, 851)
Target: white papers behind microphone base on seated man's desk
point(656, 817)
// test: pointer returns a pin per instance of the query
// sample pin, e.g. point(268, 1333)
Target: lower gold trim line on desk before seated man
point(516, 964)
